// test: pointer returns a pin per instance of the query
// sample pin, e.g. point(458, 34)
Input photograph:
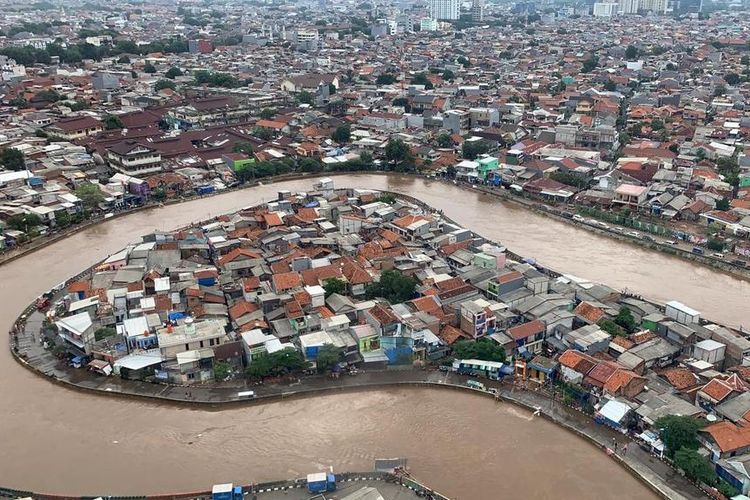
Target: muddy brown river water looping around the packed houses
point(62, 441)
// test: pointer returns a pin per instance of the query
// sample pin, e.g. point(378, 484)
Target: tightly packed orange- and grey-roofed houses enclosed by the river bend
point(335, 280)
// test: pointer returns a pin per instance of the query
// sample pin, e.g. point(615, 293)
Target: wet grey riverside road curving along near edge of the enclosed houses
point(661, 477)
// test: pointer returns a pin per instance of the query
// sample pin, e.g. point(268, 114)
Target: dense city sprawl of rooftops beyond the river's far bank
point(643, 123)
